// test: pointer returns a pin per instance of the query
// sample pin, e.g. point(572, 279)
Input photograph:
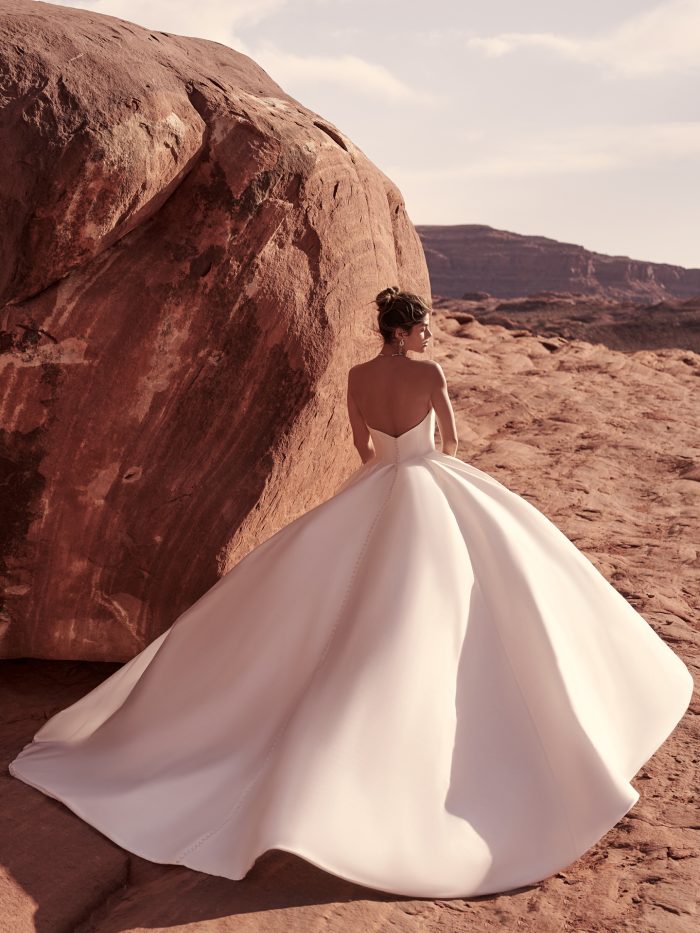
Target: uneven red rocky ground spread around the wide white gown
point(606, 444)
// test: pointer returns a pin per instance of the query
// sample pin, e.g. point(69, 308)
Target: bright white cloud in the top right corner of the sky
point(663, 39)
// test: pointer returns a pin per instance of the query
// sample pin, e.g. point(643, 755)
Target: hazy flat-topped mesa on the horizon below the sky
point(474, 257)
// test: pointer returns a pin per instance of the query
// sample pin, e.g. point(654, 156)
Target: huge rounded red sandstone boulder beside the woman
point(188, 260)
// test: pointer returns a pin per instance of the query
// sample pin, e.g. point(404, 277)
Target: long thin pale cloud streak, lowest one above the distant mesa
point(576, 150)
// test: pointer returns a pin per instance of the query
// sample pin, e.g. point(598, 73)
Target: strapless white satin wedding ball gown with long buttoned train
point(420, 685)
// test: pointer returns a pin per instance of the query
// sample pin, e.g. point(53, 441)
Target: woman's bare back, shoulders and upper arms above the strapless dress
point(393, 394)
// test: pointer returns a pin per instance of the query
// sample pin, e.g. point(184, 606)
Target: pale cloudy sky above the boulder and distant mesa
point(576, 121)
